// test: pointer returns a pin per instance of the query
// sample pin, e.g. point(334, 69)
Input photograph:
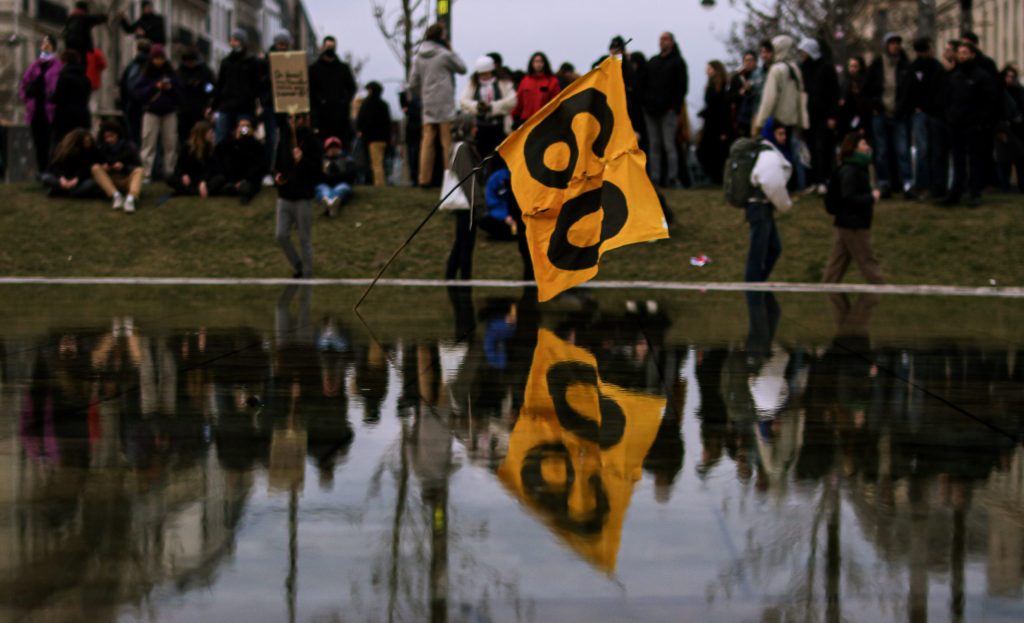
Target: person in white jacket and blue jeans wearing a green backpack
point(770, 179)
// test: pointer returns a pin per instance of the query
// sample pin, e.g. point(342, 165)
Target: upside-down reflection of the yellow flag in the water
point(578, 448)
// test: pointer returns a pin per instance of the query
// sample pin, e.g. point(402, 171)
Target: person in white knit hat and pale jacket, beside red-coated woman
point(492, 101)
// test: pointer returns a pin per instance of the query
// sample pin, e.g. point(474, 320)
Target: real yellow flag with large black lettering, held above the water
point(580, 179)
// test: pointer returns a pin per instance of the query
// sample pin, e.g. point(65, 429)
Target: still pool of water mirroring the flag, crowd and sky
point(261, 454)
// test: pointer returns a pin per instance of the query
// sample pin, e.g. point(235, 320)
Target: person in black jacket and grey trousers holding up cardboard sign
point(296, 176)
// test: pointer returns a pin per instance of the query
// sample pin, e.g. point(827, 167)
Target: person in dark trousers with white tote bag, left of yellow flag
point(465, 159)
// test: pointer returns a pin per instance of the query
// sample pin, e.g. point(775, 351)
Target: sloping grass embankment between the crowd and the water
point(917, 243)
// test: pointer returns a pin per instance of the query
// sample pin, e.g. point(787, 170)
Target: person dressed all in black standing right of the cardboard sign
point(331, 91)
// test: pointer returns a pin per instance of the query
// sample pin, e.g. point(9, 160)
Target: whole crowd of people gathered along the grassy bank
point(945, 127)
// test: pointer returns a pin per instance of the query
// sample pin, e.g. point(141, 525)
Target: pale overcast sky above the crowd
point(577, 31)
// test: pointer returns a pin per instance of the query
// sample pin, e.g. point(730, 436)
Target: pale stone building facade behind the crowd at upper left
point(204, 24)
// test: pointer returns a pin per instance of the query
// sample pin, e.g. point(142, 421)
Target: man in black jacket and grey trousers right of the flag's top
point(665, 92)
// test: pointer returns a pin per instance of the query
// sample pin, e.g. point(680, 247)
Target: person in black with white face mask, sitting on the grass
point(240, 164)
